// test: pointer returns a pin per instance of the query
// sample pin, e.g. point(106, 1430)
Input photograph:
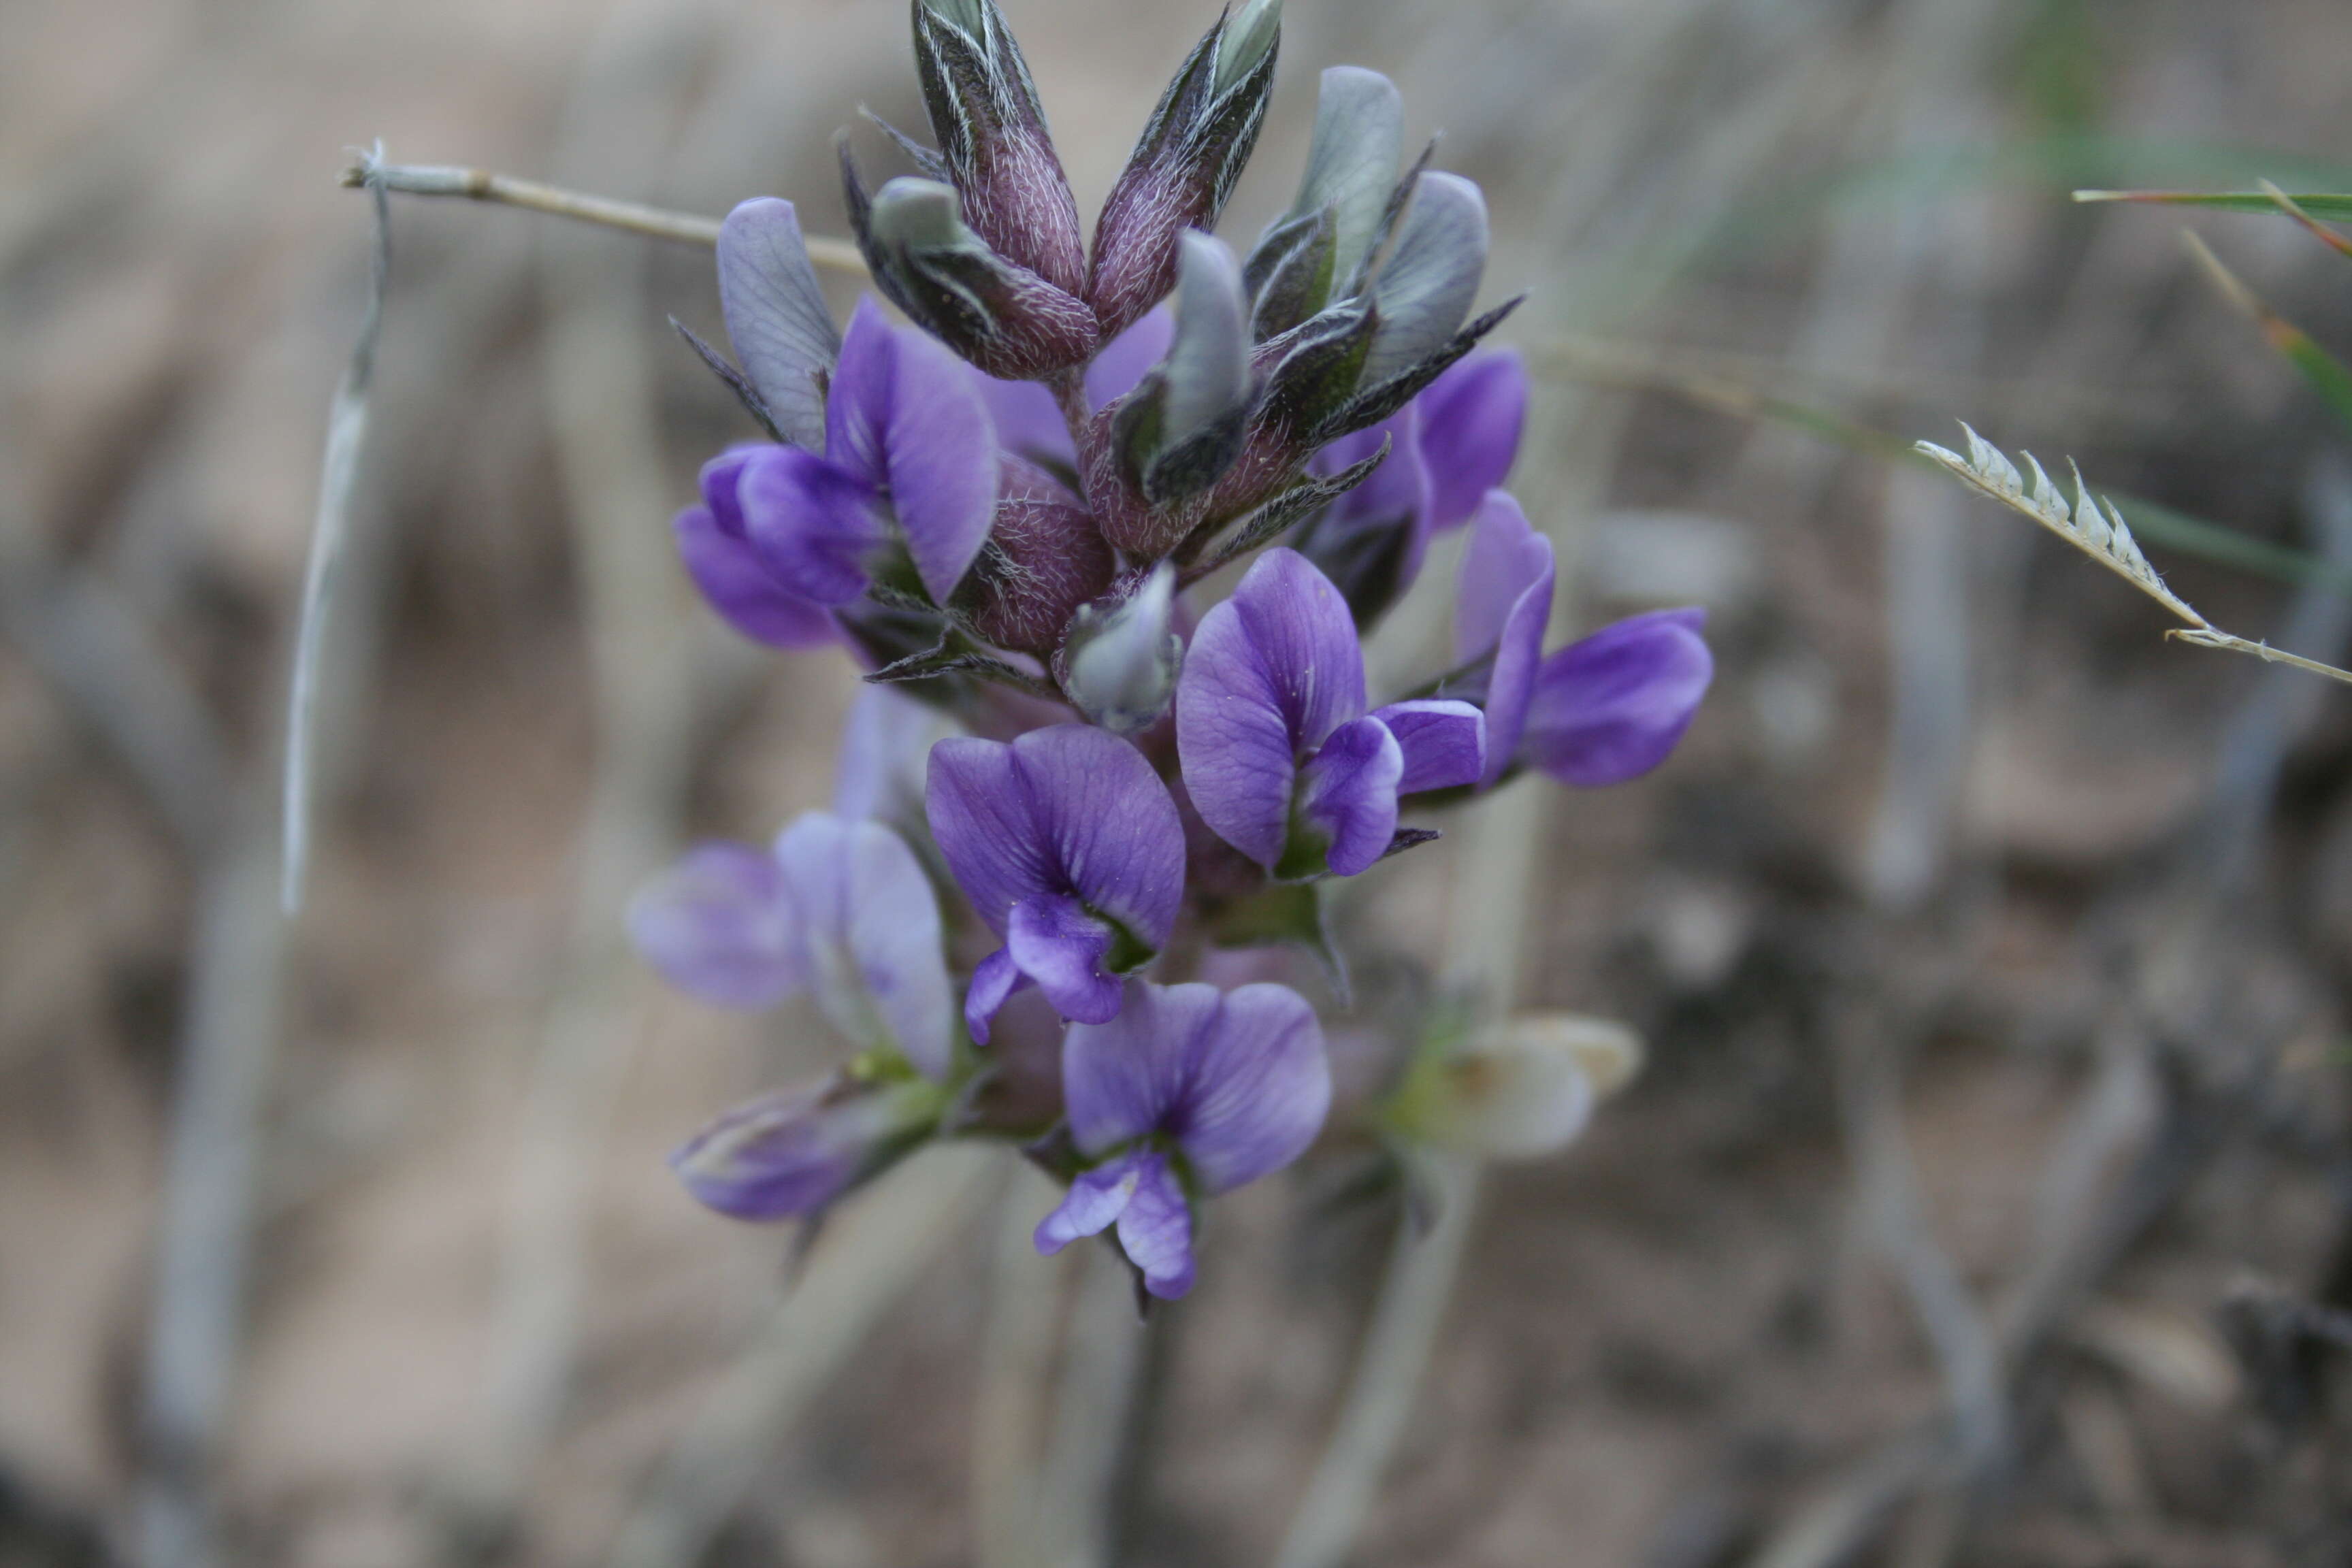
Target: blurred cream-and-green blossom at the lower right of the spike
point(1518, 1092)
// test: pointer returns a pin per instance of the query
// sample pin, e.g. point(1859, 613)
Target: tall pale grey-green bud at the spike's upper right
point(1318, 250)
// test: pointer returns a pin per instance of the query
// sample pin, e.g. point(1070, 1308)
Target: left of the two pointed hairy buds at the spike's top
point(994, 140)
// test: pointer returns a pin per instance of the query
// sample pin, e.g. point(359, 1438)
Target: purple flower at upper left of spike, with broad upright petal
point(909, 443)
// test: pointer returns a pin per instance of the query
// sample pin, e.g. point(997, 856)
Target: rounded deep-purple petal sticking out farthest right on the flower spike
point(1612, 706)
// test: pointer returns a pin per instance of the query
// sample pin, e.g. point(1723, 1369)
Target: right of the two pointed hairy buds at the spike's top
point(1184, 166)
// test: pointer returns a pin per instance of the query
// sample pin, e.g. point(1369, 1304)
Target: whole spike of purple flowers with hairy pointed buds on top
point(1008, 511)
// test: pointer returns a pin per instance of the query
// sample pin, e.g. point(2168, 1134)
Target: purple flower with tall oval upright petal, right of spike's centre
point(1278, 753)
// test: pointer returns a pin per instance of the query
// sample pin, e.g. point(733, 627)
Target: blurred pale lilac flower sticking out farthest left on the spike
point(836, 906)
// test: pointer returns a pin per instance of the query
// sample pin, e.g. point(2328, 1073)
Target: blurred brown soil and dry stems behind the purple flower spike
point(1986, 1193)
